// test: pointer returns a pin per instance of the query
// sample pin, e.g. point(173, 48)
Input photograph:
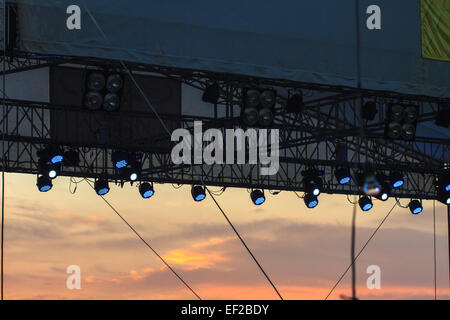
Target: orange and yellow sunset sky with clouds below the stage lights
point(304, 251)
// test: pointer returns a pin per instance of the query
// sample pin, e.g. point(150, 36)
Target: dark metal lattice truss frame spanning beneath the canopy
point(330, 118)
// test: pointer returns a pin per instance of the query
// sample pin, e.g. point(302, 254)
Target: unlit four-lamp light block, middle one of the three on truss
point(258, 107)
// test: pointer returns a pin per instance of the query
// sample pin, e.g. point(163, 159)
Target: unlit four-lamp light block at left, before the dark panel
point(103, 90)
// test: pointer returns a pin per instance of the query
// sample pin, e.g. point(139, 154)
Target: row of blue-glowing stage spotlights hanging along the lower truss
point(379, 186)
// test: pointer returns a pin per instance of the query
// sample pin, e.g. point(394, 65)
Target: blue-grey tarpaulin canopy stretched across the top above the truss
point(302, 40)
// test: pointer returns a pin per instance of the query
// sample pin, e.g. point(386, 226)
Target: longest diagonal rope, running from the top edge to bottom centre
point(201, 179)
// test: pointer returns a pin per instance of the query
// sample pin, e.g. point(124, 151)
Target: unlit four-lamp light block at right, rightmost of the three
point(401, 122)
